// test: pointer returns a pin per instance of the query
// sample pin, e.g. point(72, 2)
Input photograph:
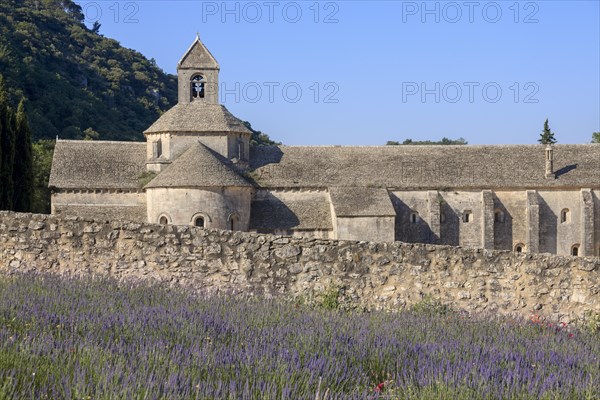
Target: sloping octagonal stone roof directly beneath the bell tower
point(198, 117)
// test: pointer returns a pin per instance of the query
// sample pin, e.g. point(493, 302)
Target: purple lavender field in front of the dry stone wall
point(94, 339)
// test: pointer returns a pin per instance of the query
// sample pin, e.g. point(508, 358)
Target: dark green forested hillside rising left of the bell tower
point(77, 83)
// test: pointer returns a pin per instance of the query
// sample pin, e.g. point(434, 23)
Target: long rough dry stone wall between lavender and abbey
point(369, 275)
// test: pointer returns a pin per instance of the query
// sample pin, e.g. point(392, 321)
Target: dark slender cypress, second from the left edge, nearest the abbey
point(23, 167)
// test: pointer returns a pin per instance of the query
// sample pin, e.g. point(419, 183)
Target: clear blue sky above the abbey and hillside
point(364, 72)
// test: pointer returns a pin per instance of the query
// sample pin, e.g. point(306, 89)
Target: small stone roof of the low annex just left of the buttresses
point(361, 202)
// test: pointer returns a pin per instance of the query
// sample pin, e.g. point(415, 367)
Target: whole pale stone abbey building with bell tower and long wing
point(197, 167)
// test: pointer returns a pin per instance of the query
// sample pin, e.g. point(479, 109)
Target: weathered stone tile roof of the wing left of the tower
point(79, 164)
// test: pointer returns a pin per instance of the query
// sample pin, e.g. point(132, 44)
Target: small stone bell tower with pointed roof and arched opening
point(198, 75)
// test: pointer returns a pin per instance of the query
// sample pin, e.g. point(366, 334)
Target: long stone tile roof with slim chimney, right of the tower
point(425, 167)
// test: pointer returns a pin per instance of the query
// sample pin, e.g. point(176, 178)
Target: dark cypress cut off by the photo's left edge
point(7, 144)
